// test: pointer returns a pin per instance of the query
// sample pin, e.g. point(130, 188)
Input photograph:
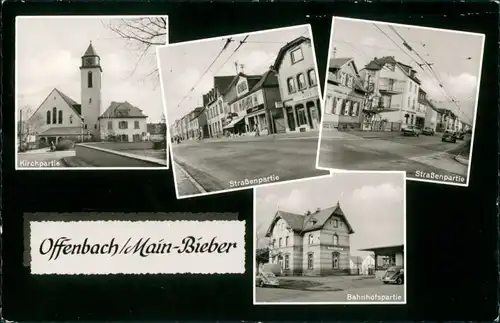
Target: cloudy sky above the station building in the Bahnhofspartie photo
point(372, 202)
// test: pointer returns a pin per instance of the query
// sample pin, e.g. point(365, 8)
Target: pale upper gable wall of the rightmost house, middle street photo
point(287, 70)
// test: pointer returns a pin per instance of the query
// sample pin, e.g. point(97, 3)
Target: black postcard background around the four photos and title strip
point(451, 231)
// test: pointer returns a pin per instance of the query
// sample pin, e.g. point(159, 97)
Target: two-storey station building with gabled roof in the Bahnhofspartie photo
point(315, 243)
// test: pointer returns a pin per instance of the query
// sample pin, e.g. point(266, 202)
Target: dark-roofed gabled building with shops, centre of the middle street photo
point(255, 104)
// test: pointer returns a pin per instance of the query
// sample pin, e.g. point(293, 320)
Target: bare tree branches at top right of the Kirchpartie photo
point(142, 35)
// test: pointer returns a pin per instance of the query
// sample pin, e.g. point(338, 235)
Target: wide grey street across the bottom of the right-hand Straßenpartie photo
point(421, 157)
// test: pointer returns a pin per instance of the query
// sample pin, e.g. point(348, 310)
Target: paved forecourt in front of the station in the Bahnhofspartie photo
point(330, 289)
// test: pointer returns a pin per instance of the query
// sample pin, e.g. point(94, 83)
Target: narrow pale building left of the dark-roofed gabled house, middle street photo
point(214, 105)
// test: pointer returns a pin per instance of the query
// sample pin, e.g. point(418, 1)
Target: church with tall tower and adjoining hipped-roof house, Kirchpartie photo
point(61, 117)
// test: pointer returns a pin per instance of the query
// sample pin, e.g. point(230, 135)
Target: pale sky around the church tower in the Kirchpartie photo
point(49, 51)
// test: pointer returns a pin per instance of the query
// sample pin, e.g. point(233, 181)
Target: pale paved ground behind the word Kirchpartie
point(42, 158)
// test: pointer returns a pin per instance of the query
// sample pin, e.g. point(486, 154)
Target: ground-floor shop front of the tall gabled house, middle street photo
point(303, 112)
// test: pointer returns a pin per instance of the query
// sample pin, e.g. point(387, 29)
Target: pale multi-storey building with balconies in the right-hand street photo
point(394, 93)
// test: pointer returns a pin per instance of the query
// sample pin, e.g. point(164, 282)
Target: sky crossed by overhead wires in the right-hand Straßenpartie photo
point(447, 51)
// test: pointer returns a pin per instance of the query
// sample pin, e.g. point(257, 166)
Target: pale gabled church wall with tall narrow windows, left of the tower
point(38, 122)
